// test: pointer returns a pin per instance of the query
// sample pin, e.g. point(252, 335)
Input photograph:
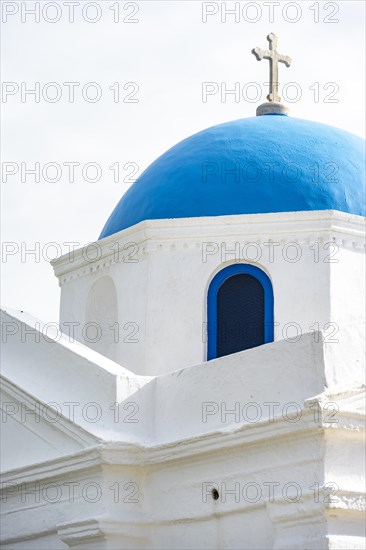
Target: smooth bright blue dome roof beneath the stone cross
point(271, 163)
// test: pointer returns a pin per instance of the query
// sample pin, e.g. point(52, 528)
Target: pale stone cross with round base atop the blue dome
point(273, 106)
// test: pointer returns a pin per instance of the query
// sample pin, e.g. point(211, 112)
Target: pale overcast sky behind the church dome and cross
point(115, 84)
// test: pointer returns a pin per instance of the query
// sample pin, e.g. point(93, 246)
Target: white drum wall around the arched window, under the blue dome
point(165, 268)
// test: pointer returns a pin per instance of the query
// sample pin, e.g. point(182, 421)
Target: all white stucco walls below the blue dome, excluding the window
point(192, 423)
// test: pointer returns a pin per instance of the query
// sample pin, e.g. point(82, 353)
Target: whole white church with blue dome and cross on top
point(207, 391)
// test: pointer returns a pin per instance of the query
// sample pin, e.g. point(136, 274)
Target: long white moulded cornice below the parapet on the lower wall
point(218, 442)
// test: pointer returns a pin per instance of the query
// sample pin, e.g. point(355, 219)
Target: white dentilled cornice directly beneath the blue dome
point(346, 230)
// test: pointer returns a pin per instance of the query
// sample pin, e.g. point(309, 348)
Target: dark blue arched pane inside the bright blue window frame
point(240, 314)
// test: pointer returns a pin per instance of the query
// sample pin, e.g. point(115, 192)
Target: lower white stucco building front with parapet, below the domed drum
point(174, 455)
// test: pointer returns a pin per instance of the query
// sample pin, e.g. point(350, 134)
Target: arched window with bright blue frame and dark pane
point(239, 310)
